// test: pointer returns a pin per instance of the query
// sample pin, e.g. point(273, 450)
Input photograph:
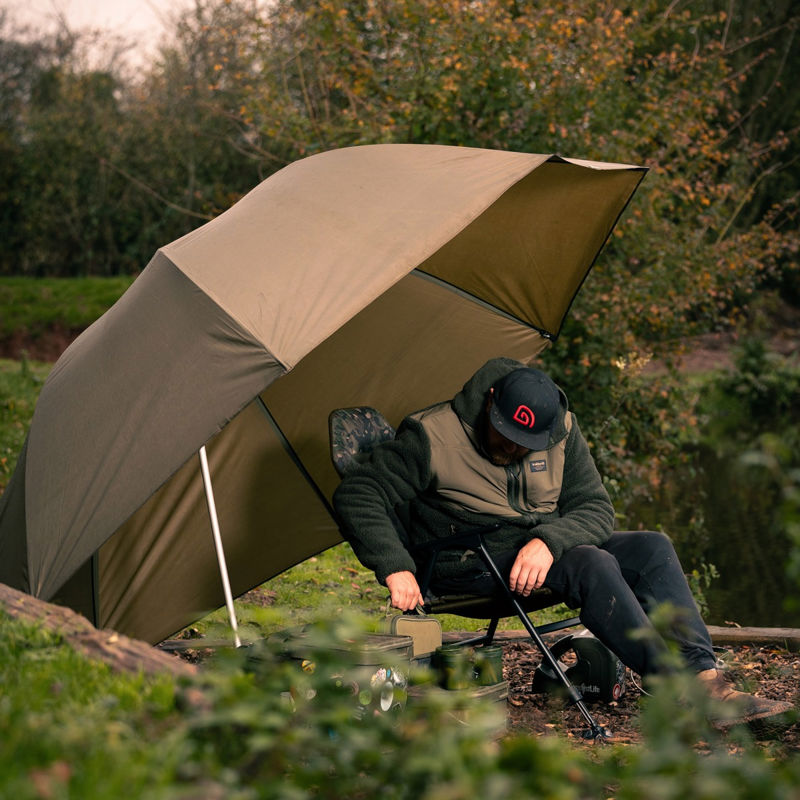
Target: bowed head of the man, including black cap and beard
point(522, 410)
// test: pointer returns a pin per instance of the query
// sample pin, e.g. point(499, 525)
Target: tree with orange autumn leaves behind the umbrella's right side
point(649, 85)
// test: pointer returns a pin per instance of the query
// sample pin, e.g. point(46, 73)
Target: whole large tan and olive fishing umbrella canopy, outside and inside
point(381, 275)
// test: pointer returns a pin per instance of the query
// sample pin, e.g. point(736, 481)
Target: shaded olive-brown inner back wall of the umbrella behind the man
point(413, 346)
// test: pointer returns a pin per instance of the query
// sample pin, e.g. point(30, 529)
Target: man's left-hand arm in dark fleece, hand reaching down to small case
point(365, 501)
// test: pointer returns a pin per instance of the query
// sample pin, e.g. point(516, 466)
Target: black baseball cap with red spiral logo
point(525, 407)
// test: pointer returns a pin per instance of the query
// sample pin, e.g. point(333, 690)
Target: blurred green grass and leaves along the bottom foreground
point(255, 725)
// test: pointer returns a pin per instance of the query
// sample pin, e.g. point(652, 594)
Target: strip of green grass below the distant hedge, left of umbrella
point(34, 305)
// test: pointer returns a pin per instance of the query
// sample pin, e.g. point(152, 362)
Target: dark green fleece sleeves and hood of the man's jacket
point(389, 509)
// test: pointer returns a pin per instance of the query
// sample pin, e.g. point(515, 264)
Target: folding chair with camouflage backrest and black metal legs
point(353, 433)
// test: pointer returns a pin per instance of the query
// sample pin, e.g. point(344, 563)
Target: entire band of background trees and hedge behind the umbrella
point(101, 166)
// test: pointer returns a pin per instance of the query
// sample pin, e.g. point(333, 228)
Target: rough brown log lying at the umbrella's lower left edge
point(120, 652)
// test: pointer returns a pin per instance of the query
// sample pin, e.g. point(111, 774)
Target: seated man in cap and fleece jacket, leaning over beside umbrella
point(507, 449)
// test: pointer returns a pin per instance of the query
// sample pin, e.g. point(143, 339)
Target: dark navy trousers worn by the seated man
point(617, 586)
